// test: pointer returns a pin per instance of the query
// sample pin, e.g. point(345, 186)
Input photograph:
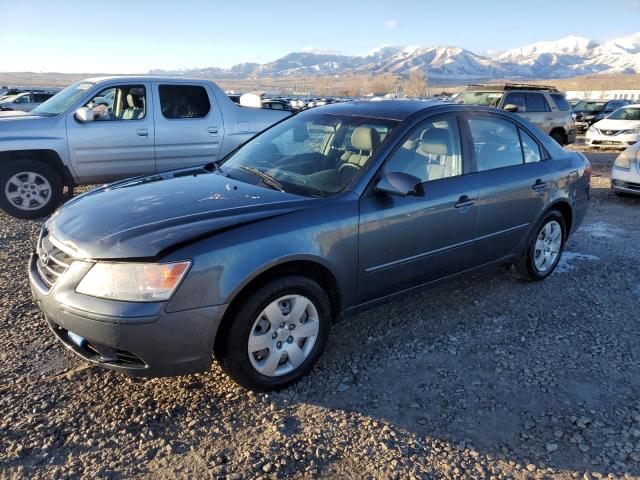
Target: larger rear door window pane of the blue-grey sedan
point(496, 142)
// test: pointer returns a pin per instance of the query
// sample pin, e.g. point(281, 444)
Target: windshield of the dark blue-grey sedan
point(312, 154)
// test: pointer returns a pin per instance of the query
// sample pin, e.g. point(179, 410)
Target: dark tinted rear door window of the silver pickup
point(184, 101)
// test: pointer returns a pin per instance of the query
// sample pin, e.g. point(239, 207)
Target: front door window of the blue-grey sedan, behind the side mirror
point(431, 152)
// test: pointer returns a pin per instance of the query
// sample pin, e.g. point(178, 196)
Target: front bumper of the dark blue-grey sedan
point(140, 339)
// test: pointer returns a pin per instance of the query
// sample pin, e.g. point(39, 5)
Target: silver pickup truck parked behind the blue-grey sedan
point(103, 129)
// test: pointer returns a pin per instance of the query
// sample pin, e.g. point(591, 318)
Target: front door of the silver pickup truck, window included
point(118, 144)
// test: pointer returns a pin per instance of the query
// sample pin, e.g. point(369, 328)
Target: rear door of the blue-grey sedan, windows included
point(514, 181)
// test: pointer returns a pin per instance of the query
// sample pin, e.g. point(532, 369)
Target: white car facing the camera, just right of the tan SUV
point(620, 129)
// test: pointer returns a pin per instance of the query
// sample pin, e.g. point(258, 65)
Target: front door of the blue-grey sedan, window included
point(409, 241)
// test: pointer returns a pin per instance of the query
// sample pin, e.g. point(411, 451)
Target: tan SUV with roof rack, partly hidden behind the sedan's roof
point(544, 106)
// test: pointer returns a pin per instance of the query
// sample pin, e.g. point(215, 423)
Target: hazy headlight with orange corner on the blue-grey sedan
point(133, 282)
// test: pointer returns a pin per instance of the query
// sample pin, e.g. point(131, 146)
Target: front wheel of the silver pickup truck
point(29, 189)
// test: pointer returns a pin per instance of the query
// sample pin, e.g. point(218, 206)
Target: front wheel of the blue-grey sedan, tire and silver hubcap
point(255, 324)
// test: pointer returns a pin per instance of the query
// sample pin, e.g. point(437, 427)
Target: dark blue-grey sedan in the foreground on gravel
point(254, 257)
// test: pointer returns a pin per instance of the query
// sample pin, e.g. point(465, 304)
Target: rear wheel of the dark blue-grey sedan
point(543, 250)
